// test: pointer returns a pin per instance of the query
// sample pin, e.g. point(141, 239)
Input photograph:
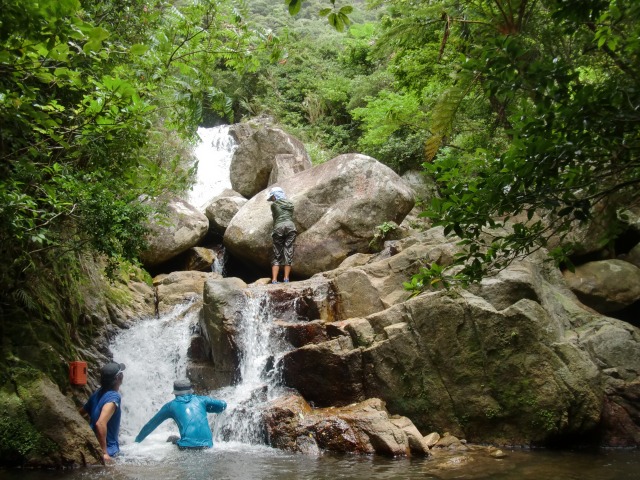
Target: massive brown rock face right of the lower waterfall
point(516, 359)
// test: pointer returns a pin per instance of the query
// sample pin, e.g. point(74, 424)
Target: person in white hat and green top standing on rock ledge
point(283, 234)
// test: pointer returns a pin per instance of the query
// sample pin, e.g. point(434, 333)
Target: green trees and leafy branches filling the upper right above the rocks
point(526, 113)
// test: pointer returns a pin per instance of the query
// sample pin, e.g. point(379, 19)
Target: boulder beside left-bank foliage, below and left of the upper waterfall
point(182, 228)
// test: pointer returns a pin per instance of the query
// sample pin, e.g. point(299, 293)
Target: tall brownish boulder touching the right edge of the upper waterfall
point(255, 158)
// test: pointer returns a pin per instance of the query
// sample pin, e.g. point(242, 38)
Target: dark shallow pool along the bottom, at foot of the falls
point(240, 461)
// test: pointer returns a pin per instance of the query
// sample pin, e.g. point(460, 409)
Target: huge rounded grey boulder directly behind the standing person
point(338, 206)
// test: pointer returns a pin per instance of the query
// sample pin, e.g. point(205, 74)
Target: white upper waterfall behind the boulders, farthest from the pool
point(213, 154)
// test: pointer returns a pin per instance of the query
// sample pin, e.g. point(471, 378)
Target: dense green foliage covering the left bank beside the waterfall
point(99, 101)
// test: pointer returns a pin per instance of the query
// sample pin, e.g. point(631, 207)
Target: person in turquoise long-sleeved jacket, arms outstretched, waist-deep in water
point(189, 411)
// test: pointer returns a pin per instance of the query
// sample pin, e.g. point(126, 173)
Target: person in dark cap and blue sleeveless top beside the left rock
point(104, 408)
